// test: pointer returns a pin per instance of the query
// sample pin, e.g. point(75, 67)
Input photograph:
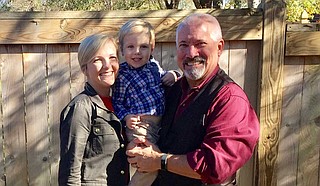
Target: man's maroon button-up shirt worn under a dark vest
point(231, 135)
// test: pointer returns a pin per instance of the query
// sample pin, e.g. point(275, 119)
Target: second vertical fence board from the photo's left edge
point(34, 57)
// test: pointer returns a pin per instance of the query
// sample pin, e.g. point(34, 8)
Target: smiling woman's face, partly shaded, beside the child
point(101, 72)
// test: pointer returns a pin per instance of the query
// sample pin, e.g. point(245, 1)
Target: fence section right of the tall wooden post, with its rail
point(298, 161)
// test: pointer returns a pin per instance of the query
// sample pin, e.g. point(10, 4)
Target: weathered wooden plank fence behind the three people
point(40, 74)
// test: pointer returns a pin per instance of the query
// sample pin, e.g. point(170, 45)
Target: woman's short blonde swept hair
point(90, 46)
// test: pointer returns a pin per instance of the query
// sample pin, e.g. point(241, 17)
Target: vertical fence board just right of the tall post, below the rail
point(290, 125)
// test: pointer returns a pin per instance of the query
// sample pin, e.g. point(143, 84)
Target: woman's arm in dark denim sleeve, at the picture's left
point(74, 132)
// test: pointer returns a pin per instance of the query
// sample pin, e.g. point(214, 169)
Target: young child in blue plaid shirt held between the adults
point(138, 96)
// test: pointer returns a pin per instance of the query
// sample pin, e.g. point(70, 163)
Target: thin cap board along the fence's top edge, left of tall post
point(127, 14)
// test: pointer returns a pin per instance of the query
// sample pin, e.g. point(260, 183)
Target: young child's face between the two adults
point(137, 48)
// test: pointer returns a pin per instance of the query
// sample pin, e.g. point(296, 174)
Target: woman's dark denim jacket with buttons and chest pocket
point(92, 144)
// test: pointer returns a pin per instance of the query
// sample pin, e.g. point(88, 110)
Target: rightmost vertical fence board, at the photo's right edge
point(308, 167)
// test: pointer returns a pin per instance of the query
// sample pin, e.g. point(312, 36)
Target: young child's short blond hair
point(135, 26)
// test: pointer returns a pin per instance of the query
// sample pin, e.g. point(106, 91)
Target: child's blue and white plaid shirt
point(139, 90)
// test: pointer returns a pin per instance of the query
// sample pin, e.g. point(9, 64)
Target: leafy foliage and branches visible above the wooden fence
point(294, 7)
